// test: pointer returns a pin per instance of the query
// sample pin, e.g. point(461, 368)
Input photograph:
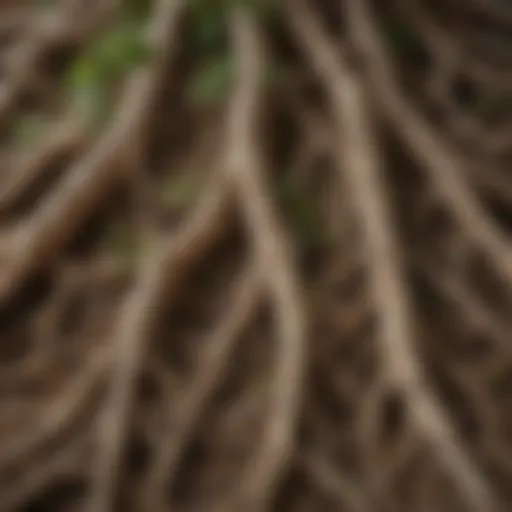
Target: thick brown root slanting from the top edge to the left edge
point(94, 177)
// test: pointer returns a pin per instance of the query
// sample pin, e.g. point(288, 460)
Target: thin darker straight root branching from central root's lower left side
point(211, 368)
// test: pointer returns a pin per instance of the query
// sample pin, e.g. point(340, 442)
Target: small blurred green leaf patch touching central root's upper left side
point(213, 81)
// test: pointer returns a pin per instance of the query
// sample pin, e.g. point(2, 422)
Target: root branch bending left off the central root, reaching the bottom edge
point(160, 275)
